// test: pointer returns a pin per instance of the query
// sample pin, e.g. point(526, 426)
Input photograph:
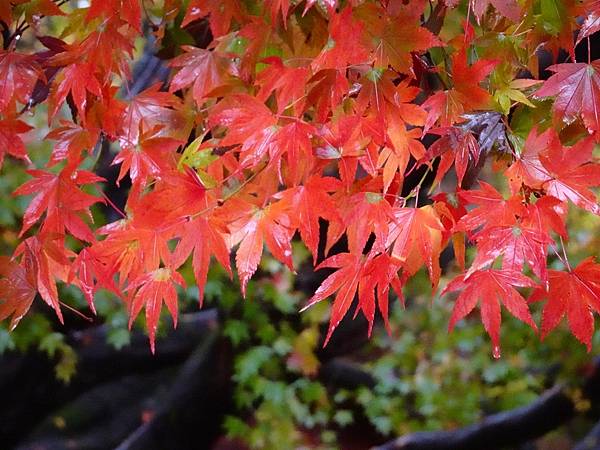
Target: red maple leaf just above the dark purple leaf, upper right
point(446, 107)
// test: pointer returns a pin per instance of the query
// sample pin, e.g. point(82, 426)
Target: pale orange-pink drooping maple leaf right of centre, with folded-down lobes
point(416, 236)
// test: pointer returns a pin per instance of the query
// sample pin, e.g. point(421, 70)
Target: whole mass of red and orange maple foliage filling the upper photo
point(298, 112)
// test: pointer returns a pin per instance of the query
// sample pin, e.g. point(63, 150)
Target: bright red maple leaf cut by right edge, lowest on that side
point(576, 294)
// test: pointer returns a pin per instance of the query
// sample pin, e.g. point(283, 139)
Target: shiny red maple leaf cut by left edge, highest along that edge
point(18, 75)
